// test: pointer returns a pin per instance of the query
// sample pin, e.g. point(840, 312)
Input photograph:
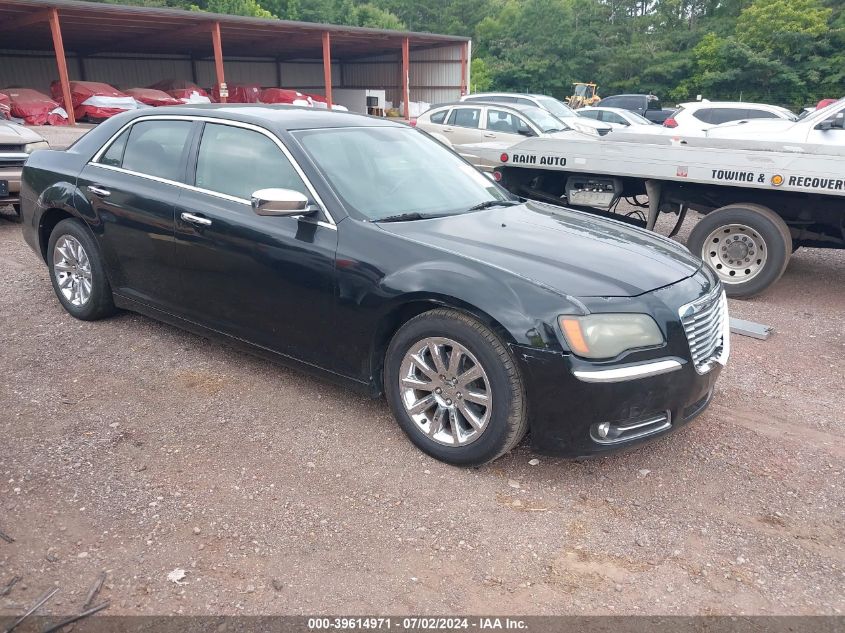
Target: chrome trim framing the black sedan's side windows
point(184, 117)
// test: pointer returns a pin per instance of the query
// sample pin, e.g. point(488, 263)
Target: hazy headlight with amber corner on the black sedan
point(608, 335)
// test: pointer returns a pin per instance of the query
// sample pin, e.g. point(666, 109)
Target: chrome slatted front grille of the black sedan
point(705, 322)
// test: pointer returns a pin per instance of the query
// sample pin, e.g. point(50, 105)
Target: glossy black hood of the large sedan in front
point(574, 253)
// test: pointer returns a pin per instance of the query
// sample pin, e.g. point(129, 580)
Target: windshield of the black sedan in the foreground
point(381, 172)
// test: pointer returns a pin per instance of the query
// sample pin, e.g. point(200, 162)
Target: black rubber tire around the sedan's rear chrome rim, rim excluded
point(100, 303)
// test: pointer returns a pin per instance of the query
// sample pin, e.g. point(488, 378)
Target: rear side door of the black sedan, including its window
point(130, 190)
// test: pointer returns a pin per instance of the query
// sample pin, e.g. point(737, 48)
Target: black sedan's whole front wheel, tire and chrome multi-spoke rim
point(455, 388)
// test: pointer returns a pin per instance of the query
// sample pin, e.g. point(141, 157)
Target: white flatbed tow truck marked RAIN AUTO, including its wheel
point(762, 200)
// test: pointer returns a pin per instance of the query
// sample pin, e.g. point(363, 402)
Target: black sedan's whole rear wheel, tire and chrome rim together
point(77, 272)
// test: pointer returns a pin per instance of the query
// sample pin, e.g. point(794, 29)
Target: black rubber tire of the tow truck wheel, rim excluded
point(767, 224)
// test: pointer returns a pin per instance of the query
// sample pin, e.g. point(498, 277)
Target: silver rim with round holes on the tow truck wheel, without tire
point(736, 252)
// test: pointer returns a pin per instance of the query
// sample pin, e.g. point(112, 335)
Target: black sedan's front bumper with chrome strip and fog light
point(578, 407)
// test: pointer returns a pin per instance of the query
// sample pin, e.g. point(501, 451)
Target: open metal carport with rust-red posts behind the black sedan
point(102, 39)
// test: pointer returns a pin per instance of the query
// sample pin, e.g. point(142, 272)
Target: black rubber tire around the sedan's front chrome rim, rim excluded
point(508, 420)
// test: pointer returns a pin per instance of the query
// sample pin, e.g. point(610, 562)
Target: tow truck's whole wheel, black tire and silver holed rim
point(747, 245)
